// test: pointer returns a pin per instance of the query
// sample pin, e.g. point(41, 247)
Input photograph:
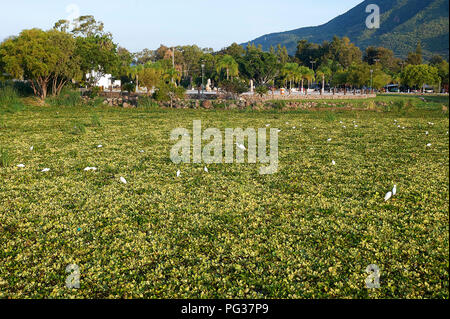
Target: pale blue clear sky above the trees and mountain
point(138, 24)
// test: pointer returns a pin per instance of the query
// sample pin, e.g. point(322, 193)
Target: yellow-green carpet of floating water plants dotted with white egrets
point(308, 231)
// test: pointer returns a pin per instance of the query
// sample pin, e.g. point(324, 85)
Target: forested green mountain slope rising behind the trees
point(403, 24)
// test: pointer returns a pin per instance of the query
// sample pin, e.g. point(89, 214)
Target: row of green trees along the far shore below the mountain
point(80, 52)
